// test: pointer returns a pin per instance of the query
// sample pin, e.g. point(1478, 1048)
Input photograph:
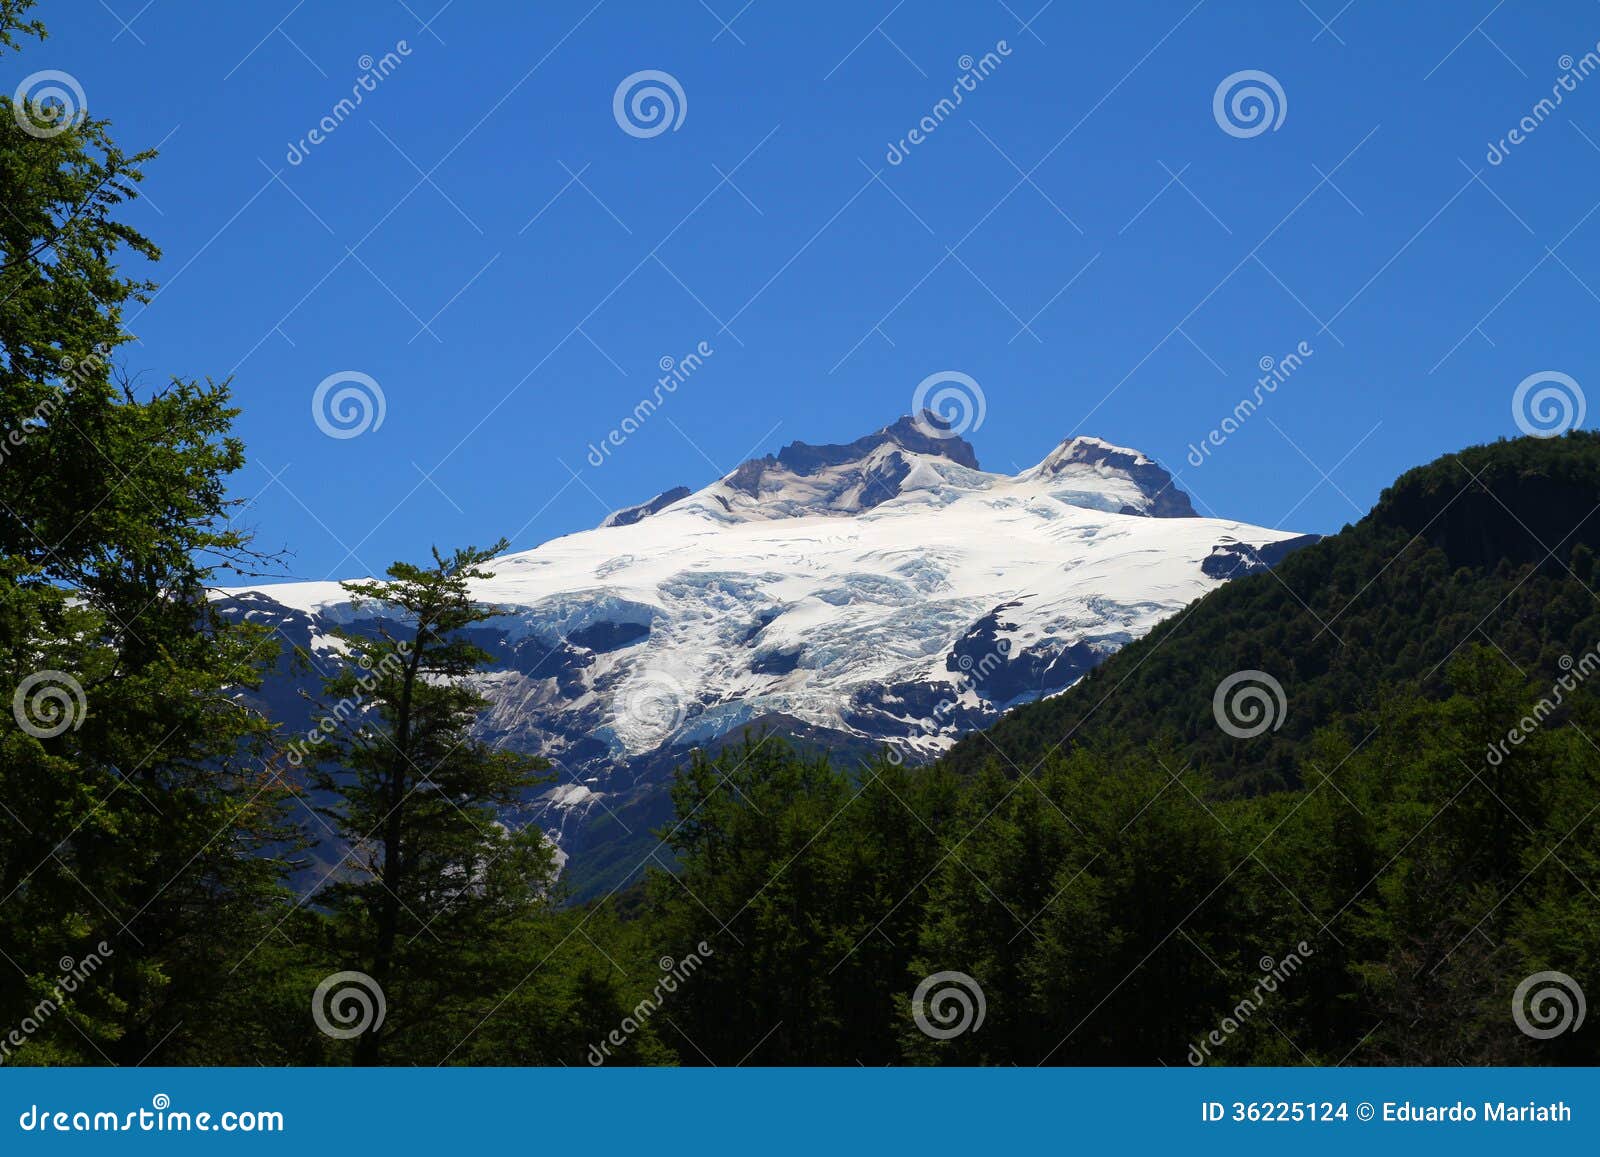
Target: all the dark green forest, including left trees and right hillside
point(1118, 879)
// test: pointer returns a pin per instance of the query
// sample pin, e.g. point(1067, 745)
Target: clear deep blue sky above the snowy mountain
point(514, 305)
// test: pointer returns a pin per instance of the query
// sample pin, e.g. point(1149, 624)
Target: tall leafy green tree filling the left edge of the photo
point(138, 807)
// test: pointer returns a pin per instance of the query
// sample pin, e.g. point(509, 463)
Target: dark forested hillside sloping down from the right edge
point(1492, 546)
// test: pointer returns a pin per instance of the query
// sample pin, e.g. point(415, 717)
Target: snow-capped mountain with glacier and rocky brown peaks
point(886, 591)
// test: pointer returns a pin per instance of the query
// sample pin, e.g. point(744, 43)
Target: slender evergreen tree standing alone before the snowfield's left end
point(439, 884)
